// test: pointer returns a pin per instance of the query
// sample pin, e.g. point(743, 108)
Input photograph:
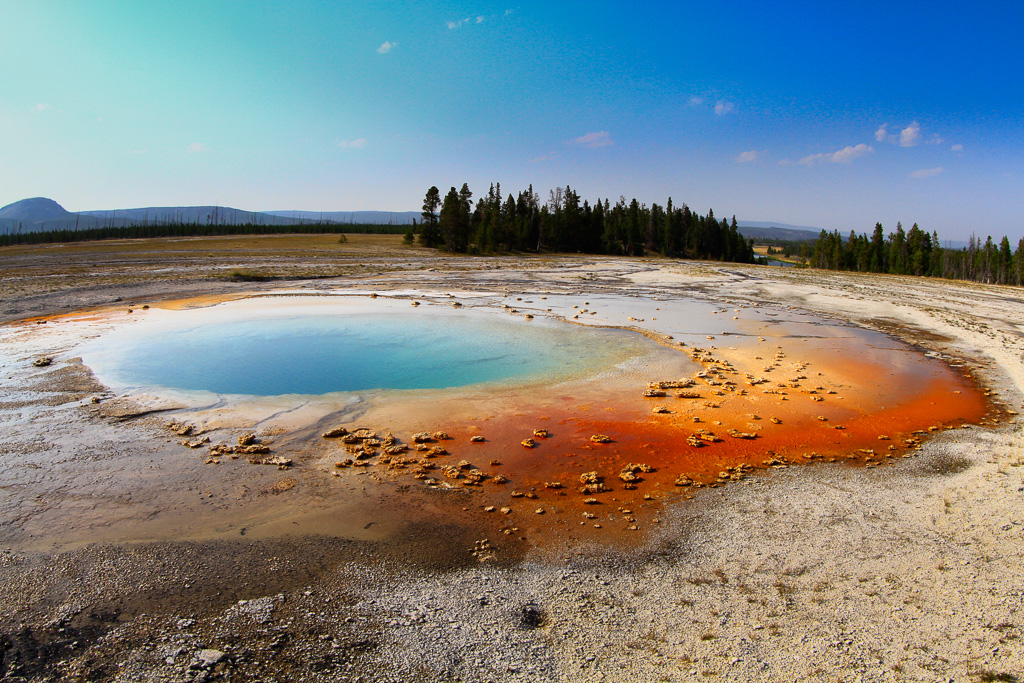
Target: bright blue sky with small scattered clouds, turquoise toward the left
point(823, 114)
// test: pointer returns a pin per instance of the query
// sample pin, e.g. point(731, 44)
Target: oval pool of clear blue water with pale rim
point(317, 355)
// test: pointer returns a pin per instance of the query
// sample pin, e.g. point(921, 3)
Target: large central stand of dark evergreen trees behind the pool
point(565, 224)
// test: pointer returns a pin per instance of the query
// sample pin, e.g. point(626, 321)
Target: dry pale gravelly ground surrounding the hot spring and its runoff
point(910, 572)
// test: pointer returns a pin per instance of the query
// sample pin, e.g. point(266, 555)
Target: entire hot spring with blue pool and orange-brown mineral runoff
point(772, 388)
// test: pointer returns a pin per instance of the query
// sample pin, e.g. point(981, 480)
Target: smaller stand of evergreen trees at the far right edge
point(919, 253)
